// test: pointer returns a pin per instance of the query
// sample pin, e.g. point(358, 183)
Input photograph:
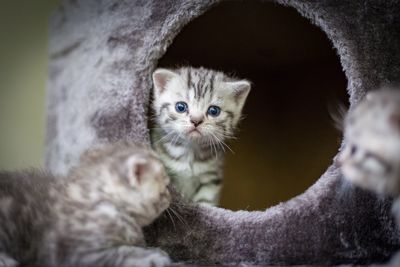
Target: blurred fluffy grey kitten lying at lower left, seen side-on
point(92, 217)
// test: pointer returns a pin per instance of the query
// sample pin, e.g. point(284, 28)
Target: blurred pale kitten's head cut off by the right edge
point(371, 157)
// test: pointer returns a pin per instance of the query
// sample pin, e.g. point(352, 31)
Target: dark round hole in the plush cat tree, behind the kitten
point(287, 138)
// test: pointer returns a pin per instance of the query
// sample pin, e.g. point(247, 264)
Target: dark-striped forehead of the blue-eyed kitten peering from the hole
point(201, 81)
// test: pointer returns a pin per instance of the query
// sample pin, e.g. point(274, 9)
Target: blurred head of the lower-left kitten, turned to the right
point(131, 176)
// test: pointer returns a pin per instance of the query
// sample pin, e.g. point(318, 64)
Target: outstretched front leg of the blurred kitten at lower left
point(123, 256)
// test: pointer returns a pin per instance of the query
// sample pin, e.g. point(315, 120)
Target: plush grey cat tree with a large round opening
point(102, 54)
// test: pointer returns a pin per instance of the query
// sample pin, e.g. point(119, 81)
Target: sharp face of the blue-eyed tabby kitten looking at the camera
point(198, 105)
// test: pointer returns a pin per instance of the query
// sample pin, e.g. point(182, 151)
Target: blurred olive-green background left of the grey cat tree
point(23, 73)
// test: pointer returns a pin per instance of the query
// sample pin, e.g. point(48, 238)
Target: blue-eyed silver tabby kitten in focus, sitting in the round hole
point(196, 109)
